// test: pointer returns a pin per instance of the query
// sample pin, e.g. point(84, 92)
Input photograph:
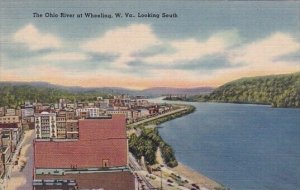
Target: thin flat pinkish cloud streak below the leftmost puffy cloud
point(64, 57)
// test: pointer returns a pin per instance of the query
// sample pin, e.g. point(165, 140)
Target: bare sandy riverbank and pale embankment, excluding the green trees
point(193, 179)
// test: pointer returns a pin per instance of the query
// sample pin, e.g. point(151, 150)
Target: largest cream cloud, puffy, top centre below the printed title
point(123, 42)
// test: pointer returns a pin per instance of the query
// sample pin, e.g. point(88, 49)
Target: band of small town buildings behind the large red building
point(60, 120)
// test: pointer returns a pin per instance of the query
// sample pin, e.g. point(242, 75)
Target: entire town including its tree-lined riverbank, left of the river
point(103, 143)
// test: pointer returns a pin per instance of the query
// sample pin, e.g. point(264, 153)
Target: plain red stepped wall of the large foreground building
point(99, 139)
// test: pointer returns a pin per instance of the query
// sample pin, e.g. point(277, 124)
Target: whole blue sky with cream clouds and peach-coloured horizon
point(209, 43)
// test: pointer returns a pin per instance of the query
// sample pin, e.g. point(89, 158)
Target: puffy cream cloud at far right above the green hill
point(265, 51)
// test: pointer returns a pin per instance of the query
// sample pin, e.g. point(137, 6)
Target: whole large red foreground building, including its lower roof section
point(97, 160)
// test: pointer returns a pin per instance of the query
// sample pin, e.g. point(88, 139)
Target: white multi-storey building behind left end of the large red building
point(45, 125)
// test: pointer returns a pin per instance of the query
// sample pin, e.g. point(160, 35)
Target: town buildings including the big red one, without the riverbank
point(94, 132)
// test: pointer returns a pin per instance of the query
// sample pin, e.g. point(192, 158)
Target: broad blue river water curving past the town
point(244, 147)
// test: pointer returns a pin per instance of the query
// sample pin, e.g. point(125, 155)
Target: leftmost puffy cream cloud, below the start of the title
point(36, 40)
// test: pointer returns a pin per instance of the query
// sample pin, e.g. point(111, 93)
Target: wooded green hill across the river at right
point(276, 90)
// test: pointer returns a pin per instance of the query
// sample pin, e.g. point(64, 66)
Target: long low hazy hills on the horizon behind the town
point(16, 93)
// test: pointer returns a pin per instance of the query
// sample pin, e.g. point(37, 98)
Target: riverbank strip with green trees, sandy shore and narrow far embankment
point(147, 146)
